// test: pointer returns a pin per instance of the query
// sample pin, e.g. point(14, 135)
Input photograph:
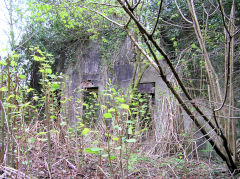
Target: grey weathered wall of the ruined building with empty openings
point(90, 71)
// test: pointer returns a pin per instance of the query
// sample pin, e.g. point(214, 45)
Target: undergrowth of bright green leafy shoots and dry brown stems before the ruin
point(56, 135)
